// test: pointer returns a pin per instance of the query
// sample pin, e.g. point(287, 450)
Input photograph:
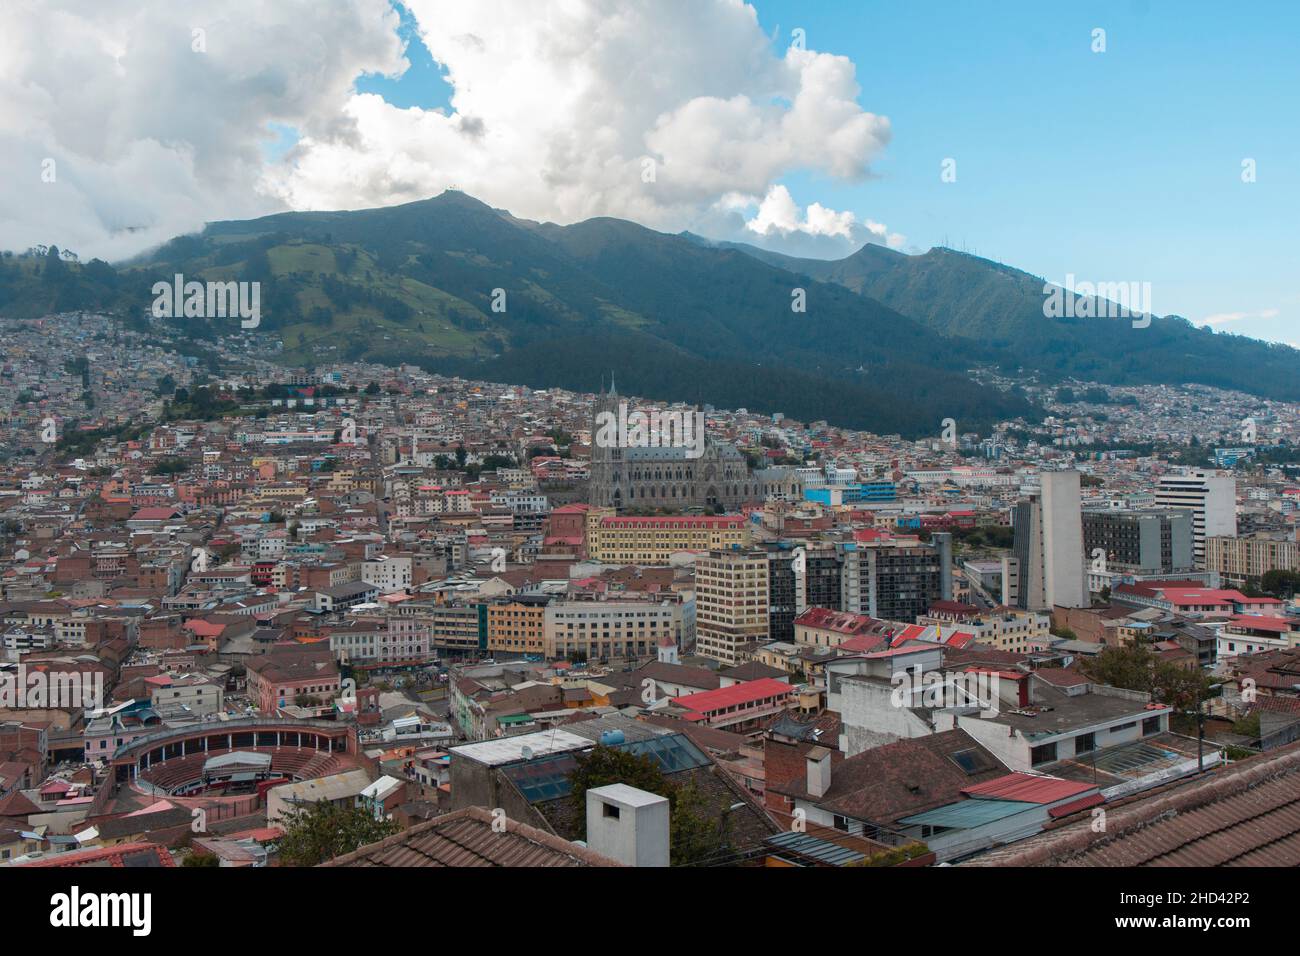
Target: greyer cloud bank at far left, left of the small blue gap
point(155, 114)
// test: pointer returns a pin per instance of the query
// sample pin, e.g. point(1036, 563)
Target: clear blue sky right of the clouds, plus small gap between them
point(1117, 166)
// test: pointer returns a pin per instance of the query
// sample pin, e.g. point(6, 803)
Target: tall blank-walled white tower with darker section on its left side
point(1048, 548)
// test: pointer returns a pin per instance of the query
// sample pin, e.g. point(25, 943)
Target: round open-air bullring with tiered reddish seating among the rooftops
point(233, 759)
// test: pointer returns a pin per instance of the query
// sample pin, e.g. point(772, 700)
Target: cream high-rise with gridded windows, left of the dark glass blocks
point(731, 603)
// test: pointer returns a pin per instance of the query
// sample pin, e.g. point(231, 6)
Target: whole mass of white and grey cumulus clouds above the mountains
point(674, 114)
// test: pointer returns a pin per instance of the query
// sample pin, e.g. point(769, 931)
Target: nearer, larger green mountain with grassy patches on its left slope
point(673, 319)
